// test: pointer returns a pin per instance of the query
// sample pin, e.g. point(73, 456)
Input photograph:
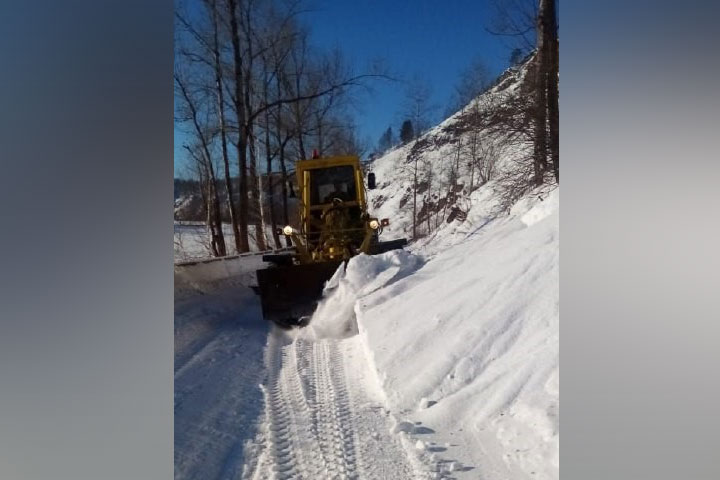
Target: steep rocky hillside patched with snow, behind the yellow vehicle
point(461, 167)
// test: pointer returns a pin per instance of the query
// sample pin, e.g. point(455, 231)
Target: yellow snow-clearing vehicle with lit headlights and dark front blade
point(334, 225)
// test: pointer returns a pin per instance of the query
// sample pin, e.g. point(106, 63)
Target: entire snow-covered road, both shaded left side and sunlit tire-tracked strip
point(253, 403)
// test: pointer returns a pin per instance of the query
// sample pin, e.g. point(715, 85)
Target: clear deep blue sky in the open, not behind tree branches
point(431, 38)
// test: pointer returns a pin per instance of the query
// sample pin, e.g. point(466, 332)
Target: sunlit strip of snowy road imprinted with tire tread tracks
point(324, 416)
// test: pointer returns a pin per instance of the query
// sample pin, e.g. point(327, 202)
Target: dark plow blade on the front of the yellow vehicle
point(290, 293)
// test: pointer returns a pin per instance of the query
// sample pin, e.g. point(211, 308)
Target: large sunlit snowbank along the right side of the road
point(465, 342)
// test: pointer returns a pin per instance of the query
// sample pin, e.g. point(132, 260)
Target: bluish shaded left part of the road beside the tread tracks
point(219, 366)
